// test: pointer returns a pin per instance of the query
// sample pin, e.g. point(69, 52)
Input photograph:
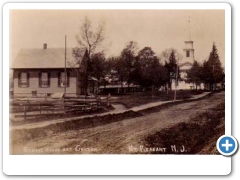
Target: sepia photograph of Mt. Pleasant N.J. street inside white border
point(124, 81)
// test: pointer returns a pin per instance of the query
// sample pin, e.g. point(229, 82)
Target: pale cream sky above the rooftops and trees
point(158, 29)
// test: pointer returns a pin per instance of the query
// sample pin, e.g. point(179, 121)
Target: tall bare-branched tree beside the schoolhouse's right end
point(88, 41)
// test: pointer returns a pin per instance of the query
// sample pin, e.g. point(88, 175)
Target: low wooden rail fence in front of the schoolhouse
point(63, 106)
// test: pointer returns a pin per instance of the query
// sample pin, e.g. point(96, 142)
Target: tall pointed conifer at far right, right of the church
point(212, 69)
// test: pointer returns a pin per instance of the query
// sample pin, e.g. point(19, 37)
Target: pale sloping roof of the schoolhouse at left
point(44, 58)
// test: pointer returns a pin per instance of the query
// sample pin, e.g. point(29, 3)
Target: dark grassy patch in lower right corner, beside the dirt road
point(198, 136)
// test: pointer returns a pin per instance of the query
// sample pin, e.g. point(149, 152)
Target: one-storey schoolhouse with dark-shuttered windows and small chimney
point(41, 72)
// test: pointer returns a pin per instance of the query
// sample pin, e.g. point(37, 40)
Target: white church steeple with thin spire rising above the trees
point(188, 50)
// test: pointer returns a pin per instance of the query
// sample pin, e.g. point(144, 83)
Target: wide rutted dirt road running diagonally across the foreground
point(122, 137)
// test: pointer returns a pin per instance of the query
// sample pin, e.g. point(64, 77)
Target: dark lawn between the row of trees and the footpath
point(139, 98)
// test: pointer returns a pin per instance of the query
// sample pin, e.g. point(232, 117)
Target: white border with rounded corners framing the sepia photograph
point(115, 164)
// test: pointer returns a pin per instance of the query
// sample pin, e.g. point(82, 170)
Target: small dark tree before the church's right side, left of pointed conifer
point(194, 75)
